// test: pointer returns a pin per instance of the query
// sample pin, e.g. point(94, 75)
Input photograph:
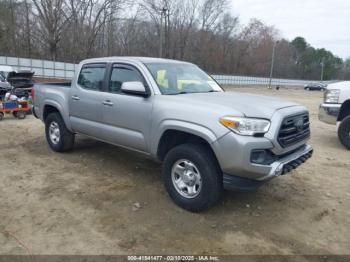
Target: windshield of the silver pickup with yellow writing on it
point(177, 78)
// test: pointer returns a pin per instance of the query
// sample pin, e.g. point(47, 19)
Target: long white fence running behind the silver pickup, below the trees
point(61, 70)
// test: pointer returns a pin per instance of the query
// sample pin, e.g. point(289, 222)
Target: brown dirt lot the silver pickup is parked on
point(83, 202)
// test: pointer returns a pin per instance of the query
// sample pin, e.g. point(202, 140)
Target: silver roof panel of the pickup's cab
point(131, 59)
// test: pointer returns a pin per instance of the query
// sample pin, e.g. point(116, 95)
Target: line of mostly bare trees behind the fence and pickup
point(201, 31)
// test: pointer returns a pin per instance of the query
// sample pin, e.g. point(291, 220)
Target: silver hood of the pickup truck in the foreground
point(249, 105)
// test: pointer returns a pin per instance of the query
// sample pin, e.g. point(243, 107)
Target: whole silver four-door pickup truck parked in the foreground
point(207, 139)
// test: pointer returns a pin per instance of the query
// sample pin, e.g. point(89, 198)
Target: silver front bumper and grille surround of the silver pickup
point(234, 153)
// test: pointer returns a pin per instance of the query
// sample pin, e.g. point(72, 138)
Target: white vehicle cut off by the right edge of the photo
point(336, 109)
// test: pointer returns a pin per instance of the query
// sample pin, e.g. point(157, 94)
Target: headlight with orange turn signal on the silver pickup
point(246, 126)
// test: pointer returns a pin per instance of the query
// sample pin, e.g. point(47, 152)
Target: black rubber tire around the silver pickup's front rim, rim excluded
point(210, 172)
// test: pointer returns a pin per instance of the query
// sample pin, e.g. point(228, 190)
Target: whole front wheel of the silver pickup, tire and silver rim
point(192, 177)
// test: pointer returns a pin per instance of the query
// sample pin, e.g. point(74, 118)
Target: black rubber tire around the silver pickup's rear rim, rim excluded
point(66, 138)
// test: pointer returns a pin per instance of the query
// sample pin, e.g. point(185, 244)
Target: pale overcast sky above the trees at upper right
point(323, 23)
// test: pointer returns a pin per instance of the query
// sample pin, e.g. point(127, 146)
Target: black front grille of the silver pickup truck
point(294, 129)
